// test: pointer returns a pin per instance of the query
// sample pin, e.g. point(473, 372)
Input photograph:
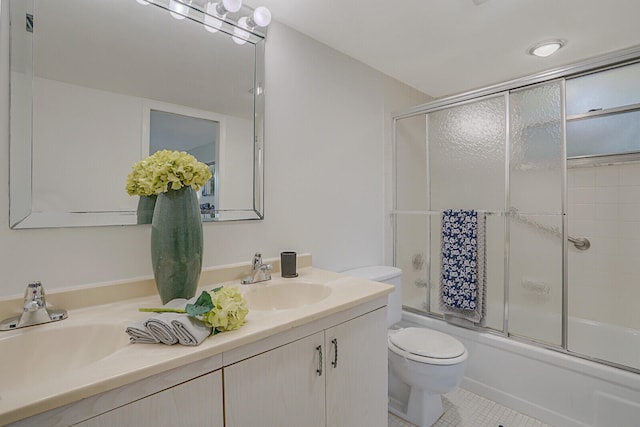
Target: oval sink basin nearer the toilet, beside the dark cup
point(285, 295)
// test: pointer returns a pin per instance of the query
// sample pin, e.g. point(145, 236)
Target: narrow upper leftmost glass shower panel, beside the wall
point(411, 163)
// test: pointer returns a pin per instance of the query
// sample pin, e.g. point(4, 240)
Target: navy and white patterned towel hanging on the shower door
point(463, 287)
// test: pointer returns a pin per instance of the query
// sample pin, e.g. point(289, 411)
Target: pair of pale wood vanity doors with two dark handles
point(335, 377)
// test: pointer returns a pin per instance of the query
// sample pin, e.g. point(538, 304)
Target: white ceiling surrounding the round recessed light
point(444, 47)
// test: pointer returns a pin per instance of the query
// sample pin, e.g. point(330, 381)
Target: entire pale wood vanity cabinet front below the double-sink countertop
point(326, 370)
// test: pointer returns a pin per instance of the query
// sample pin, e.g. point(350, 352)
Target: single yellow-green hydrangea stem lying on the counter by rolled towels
point(222, 309)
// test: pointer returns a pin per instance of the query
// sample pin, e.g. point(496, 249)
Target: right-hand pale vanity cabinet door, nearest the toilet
point(357, 374)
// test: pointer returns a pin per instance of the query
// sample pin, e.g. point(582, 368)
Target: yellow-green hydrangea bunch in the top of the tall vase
point(166, 170)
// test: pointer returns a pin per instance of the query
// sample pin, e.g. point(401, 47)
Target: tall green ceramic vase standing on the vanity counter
point(176, 244)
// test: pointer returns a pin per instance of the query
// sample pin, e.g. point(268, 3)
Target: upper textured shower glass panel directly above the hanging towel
point(467, 156)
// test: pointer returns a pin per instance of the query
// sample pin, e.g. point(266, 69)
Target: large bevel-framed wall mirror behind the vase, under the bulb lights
point(87, 78)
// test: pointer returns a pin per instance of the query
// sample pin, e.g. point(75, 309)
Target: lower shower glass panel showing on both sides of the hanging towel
point(494, 272)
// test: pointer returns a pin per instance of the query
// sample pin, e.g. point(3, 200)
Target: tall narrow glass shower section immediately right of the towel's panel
point(536, 213)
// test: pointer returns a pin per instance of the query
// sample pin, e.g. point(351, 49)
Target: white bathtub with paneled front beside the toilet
point(554, 387)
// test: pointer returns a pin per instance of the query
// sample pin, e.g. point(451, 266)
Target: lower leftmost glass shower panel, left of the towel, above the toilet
point(412, 259)
